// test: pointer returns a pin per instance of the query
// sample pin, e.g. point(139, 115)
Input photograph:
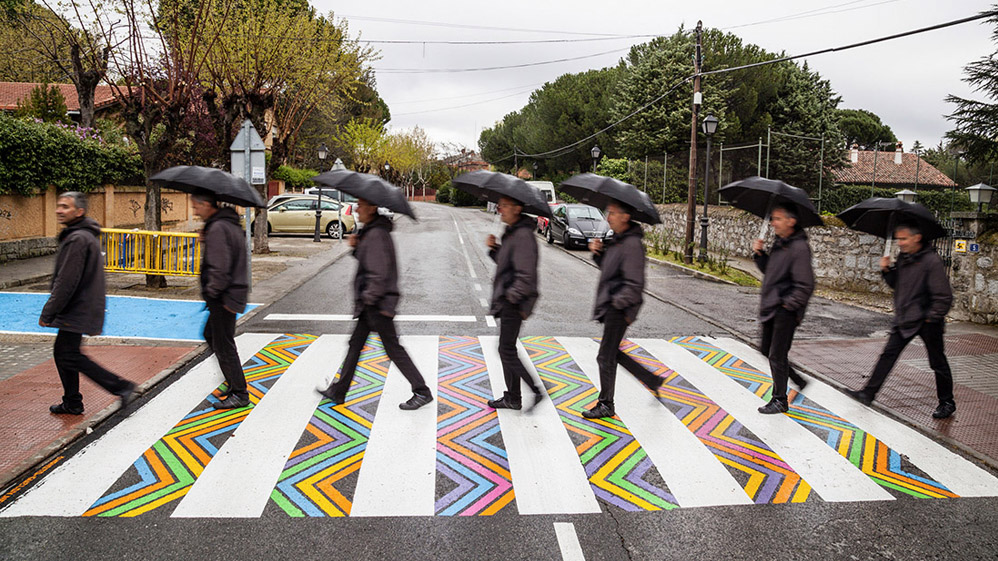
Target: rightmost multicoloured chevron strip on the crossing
point(881, 463)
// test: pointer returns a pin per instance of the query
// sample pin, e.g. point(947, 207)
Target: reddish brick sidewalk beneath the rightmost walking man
point(910, 390)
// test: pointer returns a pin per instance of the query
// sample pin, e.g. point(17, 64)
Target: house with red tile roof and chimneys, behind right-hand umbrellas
point(896, 169)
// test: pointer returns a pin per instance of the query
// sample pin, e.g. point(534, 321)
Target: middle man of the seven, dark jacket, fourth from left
point(514, 293)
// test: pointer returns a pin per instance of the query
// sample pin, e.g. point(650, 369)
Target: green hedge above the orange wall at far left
point(34, 155)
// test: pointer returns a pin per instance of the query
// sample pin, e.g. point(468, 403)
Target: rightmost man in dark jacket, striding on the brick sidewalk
point(922, 297)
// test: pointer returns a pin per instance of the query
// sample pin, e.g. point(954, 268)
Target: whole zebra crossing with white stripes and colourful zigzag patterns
point(698, 442)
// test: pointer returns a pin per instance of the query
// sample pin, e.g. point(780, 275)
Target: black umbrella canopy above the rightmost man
point(879, 216)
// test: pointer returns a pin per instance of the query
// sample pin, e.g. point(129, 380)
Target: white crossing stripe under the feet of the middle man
point(548, 477)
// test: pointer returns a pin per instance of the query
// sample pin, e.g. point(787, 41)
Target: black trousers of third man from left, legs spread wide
point(373, 320)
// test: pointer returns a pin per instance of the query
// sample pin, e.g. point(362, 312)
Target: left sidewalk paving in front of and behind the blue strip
point(29, 382)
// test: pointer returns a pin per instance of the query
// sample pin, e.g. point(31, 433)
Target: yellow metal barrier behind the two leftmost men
point(155, 253)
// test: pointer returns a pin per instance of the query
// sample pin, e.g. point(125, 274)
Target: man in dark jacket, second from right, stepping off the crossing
point(787, 284)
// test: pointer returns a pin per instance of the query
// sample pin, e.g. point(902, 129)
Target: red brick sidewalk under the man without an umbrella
point(31, 433)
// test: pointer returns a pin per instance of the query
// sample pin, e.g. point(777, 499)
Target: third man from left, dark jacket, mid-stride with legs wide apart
point(376, 295)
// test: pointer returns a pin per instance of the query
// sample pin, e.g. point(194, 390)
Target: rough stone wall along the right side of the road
point(845, 259)
